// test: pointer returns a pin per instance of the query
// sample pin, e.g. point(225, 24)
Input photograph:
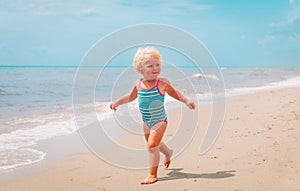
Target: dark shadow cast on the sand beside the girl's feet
point(176, 174)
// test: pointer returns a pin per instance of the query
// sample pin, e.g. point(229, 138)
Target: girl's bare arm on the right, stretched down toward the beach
point(177, 95)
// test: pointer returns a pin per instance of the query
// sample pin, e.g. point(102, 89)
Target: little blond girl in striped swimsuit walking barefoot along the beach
point(150, 91)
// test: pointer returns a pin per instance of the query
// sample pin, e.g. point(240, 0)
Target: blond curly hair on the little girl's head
point(143, 55)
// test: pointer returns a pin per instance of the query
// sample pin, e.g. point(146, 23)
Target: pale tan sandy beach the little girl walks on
point(258, 148)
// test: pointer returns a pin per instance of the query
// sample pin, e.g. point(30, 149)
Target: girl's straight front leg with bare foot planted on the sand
point(153, 143)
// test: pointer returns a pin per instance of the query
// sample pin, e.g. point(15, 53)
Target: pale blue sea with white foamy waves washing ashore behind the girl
point(36, 102)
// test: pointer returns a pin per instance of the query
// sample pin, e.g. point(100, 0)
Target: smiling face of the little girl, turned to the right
point(151, 69)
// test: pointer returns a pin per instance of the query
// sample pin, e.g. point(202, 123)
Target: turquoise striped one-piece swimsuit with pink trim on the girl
point(151, 105)
